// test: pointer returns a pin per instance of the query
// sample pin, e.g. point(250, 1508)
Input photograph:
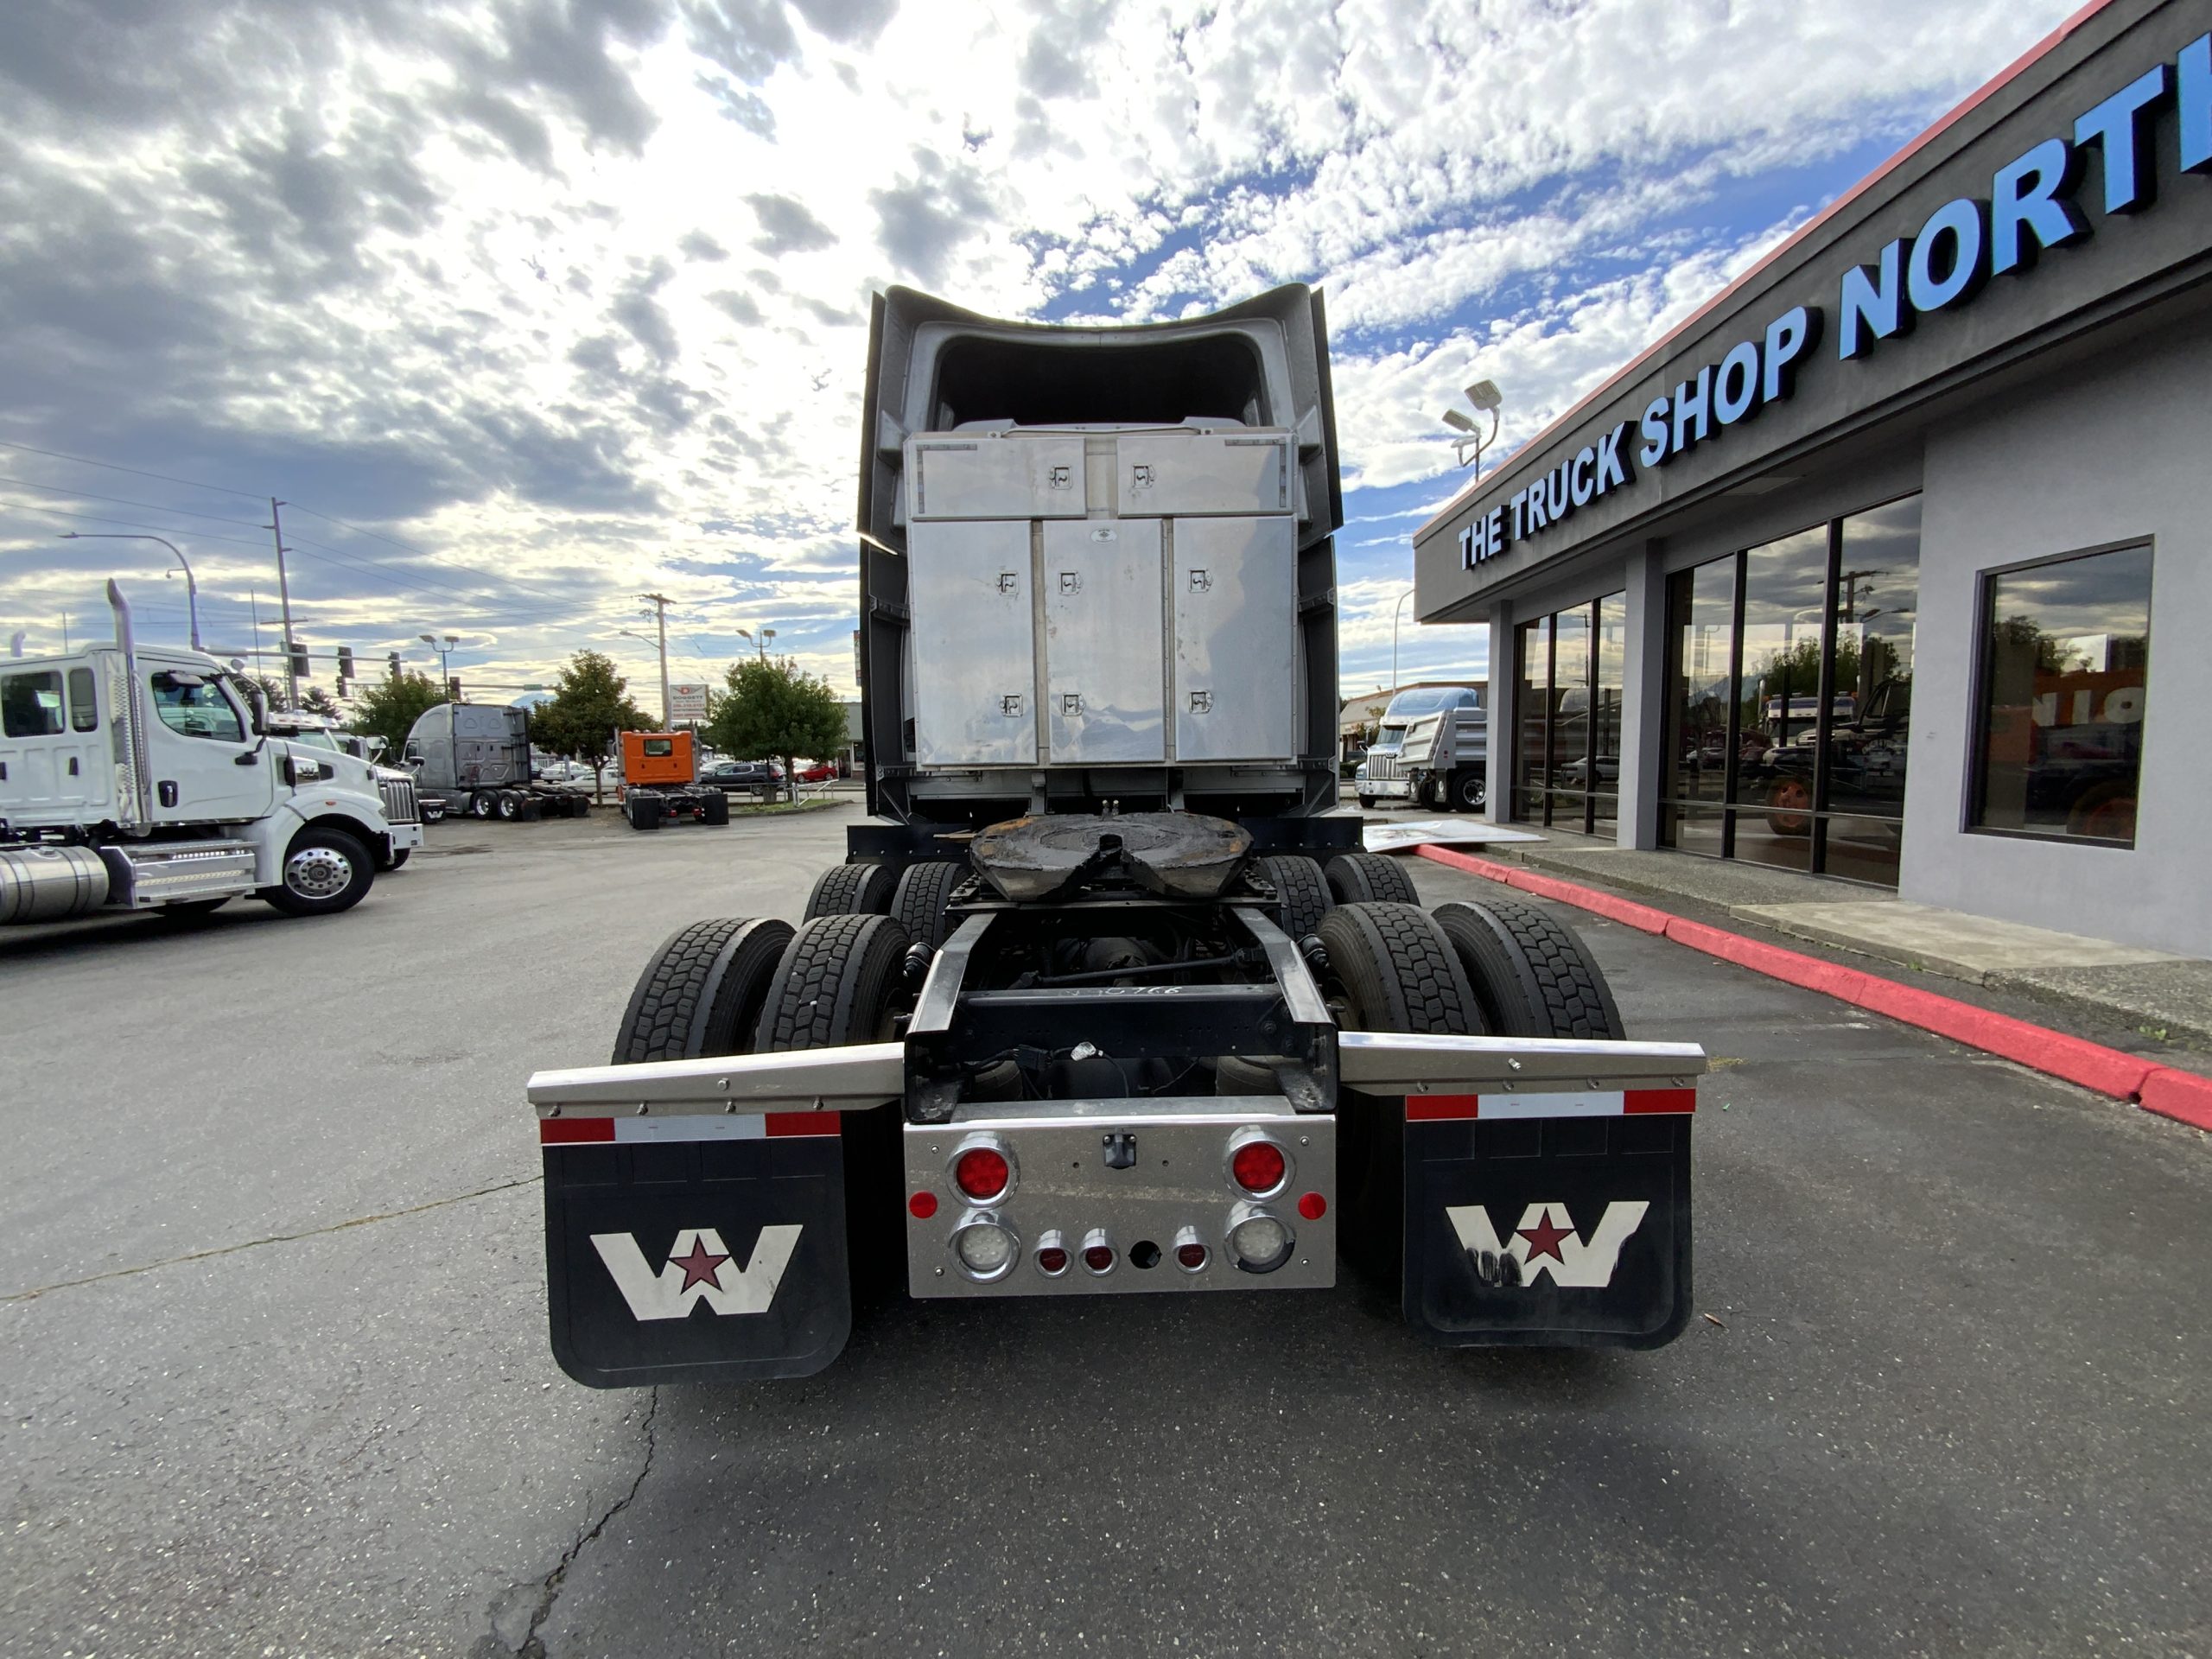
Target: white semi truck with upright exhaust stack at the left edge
point(145, 780)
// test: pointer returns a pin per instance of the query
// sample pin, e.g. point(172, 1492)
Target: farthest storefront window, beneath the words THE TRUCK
point(1567, 760)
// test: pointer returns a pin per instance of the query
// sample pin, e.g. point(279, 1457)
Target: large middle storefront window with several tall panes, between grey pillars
point(1788, 698)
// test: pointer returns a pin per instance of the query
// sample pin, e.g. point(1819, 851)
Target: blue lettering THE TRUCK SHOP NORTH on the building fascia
point(1965, 242)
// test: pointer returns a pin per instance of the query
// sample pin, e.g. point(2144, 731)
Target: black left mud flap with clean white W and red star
point(698, 1260)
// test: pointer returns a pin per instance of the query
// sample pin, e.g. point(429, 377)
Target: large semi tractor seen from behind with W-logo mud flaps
point(1105, 997)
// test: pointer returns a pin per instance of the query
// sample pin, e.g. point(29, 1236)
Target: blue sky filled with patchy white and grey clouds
point(528, 309)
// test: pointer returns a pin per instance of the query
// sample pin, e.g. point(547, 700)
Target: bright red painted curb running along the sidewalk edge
point(2076, 1061)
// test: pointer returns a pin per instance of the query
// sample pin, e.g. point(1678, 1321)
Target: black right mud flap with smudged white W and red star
point(1547, 1231)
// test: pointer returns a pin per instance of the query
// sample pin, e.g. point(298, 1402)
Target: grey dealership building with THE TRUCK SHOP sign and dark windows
point(1895, 563)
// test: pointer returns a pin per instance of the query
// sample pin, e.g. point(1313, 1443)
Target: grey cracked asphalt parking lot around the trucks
point(278, 1375)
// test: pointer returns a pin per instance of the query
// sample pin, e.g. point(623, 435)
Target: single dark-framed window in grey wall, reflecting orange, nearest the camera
point(2065, 667)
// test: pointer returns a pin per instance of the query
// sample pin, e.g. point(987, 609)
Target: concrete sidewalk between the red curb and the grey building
point(2120, 985)
